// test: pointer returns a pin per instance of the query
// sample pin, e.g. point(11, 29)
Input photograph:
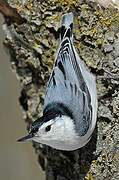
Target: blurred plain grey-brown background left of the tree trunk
point(17, 160)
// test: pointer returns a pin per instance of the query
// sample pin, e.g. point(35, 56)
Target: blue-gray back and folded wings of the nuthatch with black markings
point(67, 86)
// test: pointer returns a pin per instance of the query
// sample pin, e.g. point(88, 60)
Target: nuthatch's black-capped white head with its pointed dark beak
point(53, 129)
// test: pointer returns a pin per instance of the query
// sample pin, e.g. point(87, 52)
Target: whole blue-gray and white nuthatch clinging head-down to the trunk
point(70, 101)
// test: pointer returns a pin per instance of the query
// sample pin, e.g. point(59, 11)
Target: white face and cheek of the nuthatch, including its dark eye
point(56, 132)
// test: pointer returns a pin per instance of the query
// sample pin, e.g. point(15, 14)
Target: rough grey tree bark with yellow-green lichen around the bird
point(96, 37)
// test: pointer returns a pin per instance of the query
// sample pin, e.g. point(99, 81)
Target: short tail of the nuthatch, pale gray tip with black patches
point(66, 26)
